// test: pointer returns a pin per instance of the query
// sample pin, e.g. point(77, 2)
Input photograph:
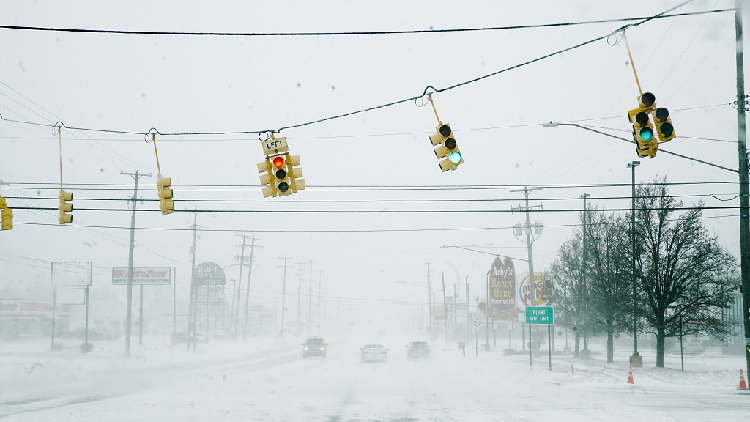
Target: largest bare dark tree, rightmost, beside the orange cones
point(682, 270)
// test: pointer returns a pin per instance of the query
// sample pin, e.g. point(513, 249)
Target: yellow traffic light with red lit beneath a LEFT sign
point(280, 177)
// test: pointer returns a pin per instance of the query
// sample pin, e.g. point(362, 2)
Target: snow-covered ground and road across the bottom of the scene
point(266, 380)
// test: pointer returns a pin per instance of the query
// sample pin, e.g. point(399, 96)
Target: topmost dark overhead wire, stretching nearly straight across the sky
point(308, 34)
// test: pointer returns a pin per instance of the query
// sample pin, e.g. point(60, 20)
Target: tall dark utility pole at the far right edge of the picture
point(743, 172)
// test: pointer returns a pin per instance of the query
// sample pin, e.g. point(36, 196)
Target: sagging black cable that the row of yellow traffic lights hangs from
point(429, 90)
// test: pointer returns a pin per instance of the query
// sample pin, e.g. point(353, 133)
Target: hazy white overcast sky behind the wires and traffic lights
point(190, 83)
